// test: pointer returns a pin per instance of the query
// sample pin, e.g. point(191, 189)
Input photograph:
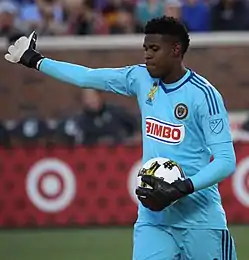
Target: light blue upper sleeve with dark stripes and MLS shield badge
point(213, 118)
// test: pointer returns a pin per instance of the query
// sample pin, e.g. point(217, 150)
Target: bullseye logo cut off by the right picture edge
point(240, 182)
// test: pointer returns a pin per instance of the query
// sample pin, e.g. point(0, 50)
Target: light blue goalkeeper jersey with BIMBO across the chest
point(180, 121)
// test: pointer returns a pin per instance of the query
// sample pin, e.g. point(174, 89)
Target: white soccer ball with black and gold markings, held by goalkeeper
point(163, 168)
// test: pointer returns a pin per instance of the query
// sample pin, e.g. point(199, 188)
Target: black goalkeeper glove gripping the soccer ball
point(162, 193)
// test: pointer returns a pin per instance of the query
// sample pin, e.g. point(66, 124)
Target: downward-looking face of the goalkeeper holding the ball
point(158, 54)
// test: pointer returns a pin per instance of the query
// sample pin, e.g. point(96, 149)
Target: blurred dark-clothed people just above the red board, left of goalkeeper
point(98, 122)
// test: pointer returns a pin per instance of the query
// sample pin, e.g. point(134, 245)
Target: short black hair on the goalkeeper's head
point(169, 26)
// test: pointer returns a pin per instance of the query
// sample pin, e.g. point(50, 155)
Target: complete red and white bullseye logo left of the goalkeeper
point(51, 185)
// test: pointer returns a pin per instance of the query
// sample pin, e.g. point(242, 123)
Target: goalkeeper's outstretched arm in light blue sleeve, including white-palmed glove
point(117, 80)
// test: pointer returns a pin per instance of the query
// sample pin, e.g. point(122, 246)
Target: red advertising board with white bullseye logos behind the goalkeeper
point(93, 186)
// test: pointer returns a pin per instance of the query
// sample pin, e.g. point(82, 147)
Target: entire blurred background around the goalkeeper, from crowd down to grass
point(69, 157)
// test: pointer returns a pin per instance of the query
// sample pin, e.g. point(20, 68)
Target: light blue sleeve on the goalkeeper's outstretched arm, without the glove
point(117, 80)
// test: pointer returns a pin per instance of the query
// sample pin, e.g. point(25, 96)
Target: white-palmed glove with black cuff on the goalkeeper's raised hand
point(23, 51)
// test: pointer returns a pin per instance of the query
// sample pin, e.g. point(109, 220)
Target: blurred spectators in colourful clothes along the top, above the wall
point(80, 17)
